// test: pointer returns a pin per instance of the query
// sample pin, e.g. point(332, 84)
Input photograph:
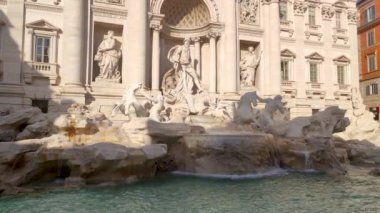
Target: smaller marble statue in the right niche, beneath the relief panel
point(248, 66)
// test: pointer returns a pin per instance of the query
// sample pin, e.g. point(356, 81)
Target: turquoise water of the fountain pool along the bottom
point(176, 193)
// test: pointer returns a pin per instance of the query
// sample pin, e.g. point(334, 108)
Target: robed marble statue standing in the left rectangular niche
point(108, 57)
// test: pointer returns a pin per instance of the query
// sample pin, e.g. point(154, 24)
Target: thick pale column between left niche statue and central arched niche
point(136, 35)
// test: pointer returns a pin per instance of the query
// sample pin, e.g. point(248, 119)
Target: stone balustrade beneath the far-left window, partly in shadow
point(39, 69)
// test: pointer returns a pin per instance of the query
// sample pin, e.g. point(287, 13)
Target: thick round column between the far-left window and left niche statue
point(74, 57)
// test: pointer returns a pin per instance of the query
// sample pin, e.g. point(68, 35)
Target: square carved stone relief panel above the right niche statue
point(248, 11)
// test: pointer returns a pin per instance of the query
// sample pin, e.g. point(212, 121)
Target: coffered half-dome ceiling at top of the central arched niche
point(185, 14)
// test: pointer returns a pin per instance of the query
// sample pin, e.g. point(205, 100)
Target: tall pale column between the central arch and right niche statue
point(229, 78)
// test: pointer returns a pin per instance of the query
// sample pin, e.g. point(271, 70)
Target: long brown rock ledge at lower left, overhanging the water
point(47, 159)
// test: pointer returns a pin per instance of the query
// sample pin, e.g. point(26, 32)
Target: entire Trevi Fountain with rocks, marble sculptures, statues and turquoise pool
point(182, 149)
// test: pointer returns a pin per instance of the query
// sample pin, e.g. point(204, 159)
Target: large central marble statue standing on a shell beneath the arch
point(181, 82)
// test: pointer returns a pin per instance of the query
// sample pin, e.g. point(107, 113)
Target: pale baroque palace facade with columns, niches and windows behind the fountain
point(57, 52)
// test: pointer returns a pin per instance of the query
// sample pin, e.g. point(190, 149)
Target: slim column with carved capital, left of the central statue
point(156, 56)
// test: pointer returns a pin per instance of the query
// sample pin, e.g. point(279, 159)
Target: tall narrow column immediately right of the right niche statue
point(274, 78)
